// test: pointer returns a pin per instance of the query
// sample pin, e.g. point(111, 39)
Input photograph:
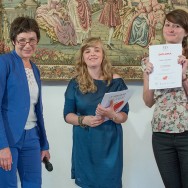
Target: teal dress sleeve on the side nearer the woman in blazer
point(70, 104)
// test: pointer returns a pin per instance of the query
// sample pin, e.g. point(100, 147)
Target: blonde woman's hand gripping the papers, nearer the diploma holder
point(106, 112)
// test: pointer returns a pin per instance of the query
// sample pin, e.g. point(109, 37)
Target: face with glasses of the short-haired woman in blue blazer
point(27, 50)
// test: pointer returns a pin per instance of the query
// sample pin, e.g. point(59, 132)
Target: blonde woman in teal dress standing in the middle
point(97, 152)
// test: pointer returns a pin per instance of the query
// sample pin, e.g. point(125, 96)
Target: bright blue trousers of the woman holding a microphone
point(26, 156)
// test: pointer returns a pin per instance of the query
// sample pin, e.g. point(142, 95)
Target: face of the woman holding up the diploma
point(173, 33)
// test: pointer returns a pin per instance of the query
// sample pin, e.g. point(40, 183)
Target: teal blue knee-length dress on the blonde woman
point(97, 153)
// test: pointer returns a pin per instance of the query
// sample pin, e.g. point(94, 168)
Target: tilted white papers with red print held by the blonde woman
point(119, 98)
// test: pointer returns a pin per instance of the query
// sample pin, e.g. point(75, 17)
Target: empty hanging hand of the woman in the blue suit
point(5, 159)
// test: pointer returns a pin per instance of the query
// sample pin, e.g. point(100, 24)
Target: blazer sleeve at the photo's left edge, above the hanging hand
point(3, 82)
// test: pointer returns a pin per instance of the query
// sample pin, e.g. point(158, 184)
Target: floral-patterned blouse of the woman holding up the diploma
point(171, 110)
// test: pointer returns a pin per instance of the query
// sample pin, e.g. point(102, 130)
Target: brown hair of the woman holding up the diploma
point(180, 17)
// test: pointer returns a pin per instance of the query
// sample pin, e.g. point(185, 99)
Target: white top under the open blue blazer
point(34, 93)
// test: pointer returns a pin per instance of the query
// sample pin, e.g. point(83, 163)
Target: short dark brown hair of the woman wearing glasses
point(23, 25)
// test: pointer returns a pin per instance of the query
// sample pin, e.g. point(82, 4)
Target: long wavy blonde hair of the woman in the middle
point(85, 81)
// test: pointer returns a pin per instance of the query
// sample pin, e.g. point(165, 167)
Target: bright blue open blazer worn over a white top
point(15, 101)
